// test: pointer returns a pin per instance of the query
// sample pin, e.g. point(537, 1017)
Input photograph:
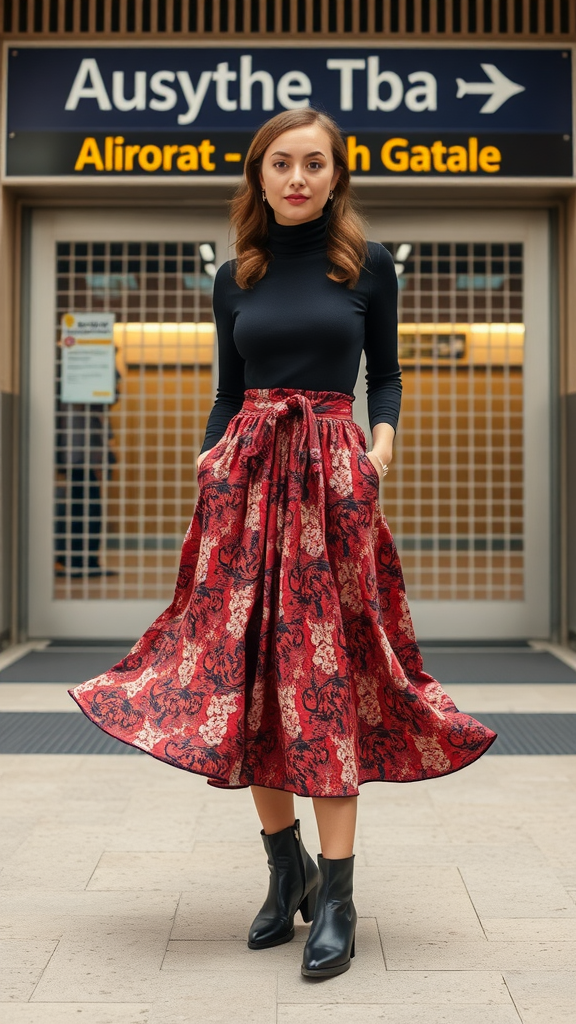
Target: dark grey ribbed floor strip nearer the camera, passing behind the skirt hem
point(64, 733)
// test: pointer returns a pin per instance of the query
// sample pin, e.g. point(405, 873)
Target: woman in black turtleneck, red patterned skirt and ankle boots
point(287, 661)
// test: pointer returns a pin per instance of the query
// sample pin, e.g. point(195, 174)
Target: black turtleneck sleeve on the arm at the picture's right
point(384, 377)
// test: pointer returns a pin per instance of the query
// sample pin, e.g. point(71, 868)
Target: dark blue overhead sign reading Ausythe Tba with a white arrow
point(106, 112)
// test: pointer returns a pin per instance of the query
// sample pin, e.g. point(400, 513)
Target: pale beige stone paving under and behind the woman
point(129, 887)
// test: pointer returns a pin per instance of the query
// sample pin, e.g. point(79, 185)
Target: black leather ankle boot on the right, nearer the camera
point(332, 941)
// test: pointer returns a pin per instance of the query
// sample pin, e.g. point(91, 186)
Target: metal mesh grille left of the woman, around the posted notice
point(125, 476)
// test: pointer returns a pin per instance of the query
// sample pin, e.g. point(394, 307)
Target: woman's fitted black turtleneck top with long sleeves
point(297, 328)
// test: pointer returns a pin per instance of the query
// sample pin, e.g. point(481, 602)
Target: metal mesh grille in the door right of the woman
point(456, 499)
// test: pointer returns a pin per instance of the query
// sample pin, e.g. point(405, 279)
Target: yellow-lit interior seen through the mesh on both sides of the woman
point(455, 497)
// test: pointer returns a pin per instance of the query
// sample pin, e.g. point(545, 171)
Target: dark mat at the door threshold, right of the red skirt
point(497, 667)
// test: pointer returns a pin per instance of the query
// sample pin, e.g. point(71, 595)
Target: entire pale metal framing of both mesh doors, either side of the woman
point(126, 619)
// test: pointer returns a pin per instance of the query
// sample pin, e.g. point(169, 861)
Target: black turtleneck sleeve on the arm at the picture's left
point(230, 394)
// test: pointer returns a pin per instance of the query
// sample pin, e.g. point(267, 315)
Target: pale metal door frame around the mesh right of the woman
point(486, 619)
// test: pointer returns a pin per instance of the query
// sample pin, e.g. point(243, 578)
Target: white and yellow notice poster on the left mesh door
point(89, 359)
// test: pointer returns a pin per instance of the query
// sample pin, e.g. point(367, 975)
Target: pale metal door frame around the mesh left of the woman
point(84, 619)
